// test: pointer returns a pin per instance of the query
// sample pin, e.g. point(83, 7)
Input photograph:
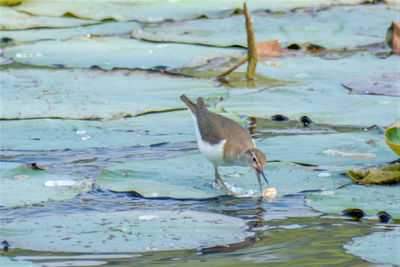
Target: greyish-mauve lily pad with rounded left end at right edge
point(381, 84)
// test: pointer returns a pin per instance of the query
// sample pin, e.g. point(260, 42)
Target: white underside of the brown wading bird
point(213, 152)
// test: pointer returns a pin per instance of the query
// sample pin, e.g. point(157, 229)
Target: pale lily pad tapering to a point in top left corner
point(14, 20)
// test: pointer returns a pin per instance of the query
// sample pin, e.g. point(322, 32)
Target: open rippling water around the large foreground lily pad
point(284, 231)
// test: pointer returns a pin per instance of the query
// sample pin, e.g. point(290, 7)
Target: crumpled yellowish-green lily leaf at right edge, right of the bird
point(386, 175)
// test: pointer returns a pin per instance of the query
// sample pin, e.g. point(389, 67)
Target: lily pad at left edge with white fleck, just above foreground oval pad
point(17, 180)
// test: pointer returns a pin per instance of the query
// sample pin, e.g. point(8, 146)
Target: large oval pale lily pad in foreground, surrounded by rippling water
point(126, 231)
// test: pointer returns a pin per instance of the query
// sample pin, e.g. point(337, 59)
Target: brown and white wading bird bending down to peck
point(224, 142)
